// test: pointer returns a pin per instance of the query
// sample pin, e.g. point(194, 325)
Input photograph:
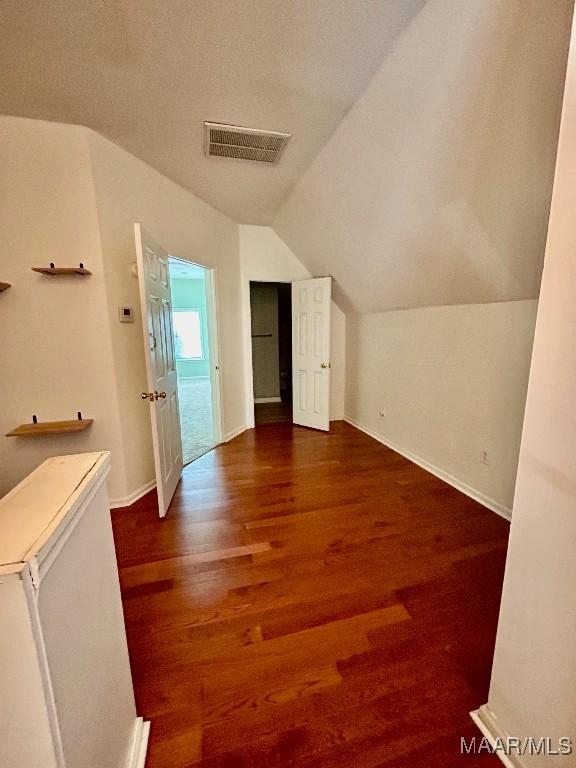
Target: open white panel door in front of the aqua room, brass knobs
point(162, 394)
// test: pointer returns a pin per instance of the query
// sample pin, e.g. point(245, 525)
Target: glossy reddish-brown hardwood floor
point(311, 599)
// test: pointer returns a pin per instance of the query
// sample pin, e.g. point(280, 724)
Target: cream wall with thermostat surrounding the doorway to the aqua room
point(127, 190)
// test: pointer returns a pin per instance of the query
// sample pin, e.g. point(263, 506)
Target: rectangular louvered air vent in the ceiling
point(244, 143)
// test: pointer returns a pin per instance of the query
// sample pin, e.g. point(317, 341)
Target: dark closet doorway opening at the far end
point(271, 324)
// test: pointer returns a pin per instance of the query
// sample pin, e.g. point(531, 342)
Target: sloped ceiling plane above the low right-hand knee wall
point(435, 188)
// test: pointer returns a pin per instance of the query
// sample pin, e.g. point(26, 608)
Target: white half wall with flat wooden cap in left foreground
point(66, 690)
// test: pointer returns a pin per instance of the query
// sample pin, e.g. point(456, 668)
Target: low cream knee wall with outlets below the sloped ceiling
point(452, 383)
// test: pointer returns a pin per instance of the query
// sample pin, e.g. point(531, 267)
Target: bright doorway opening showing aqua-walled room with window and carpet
point(191, 288)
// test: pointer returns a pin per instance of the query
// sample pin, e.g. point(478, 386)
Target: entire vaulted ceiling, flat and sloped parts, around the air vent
point(424, 131)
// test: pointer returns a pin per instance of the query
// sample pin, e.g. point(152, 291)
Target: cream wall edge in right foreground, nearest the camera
point(533, 689)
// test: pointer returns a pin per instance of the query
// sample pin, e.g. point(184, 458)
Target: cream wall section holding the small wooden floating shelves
point(55, 356)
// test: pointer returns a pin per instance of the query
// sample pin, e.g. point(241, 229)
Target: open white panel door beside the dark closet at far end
point(311, 352)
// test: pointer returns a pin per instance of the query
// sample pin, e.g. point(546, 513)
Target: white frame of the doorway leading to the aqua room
point(212, 318)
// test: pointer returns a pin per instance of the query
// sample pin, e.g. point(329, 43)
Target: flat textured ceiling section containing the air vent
point(147, 73)
